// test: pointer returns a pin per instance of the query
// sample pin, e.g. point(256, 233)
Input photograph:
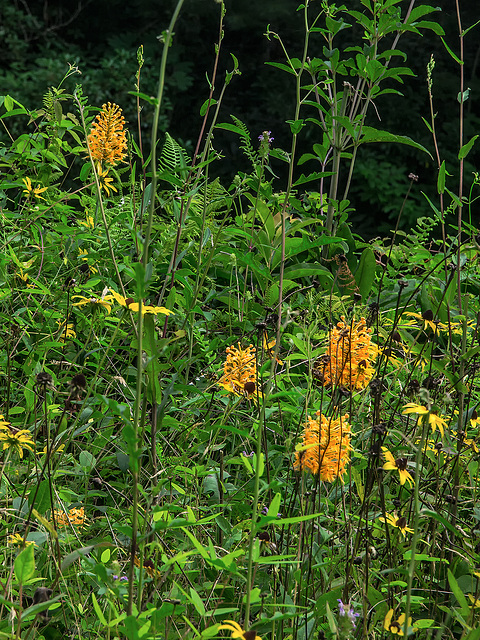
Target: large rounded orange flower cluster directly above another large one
point(349, 356)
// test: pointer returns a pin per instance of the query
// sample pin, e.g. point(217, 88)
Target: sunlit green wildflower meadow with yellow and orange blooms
point(224, 413)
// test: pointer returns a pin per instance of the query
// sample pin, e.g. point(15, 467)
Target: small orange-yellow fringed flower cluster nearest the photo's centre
point(240, 371)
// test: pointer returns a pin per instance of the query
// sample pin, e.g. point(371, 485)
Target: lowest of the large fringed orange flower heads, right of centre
point(325, 448)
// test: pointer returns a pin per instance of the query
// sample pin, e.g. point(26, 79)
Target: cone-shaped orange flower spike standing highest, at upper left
point(107, 139)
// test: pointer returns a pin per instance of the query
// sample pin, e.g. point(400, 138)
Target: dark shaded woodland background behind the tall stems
point(38, 38)
